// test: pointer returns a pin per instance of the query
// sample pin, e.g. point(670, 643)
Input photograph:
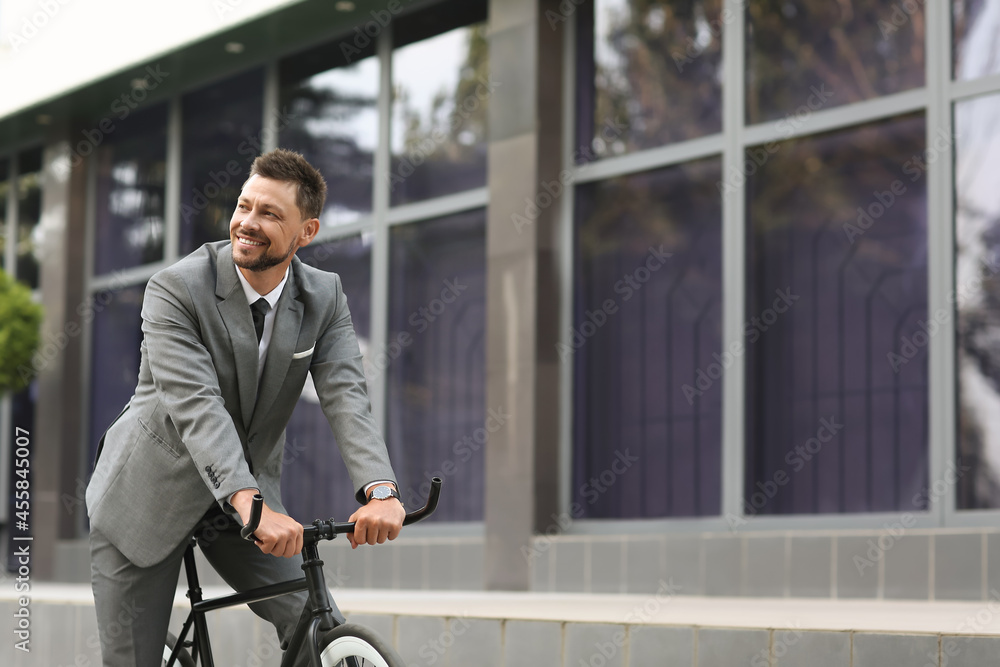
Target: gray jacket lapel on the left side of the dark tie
point(235, 312)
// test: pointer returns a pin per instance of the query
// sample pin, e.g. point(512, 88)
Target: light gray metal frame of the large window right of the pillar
point(935, 99)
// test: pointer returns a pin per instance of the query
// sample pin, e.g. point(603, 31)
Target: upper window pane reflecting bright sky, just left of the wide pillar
point(438, 138)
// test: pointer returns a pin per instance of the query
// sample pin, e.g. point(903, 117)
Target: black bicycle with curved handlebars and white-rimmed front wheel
point(331, 644)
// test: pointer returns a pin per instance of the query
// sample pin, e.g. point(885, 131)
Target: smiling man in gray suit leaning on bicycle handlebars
point(229, 334)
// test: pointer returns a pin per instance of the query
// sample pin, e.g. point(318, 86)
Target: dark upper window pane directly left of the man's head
point(221, 137)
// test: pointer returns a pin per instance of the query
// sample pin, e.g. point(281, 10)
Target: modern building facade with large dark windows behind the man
point(691, 290)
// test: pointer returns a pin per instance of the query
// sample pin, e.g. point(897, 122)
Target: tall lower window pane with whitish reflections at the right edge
point(977, 263)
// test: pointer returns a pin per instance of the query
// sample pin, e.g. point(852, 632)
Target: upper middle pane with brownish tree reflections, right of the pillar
point(806, 55)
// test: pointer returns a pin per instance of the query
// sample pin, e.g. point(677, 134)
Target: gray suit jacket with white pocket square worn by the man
point(198, 428)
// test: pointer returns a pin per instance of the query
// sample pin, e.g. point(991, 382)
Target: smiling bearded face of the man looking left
point(267, 227)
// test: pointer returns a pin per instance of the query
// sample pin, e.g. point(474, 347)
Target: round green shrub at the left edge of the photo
point(20, 322)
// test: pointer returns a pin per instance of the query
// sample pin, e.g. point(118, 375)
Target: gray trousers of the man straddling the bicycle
point(134, 603)
